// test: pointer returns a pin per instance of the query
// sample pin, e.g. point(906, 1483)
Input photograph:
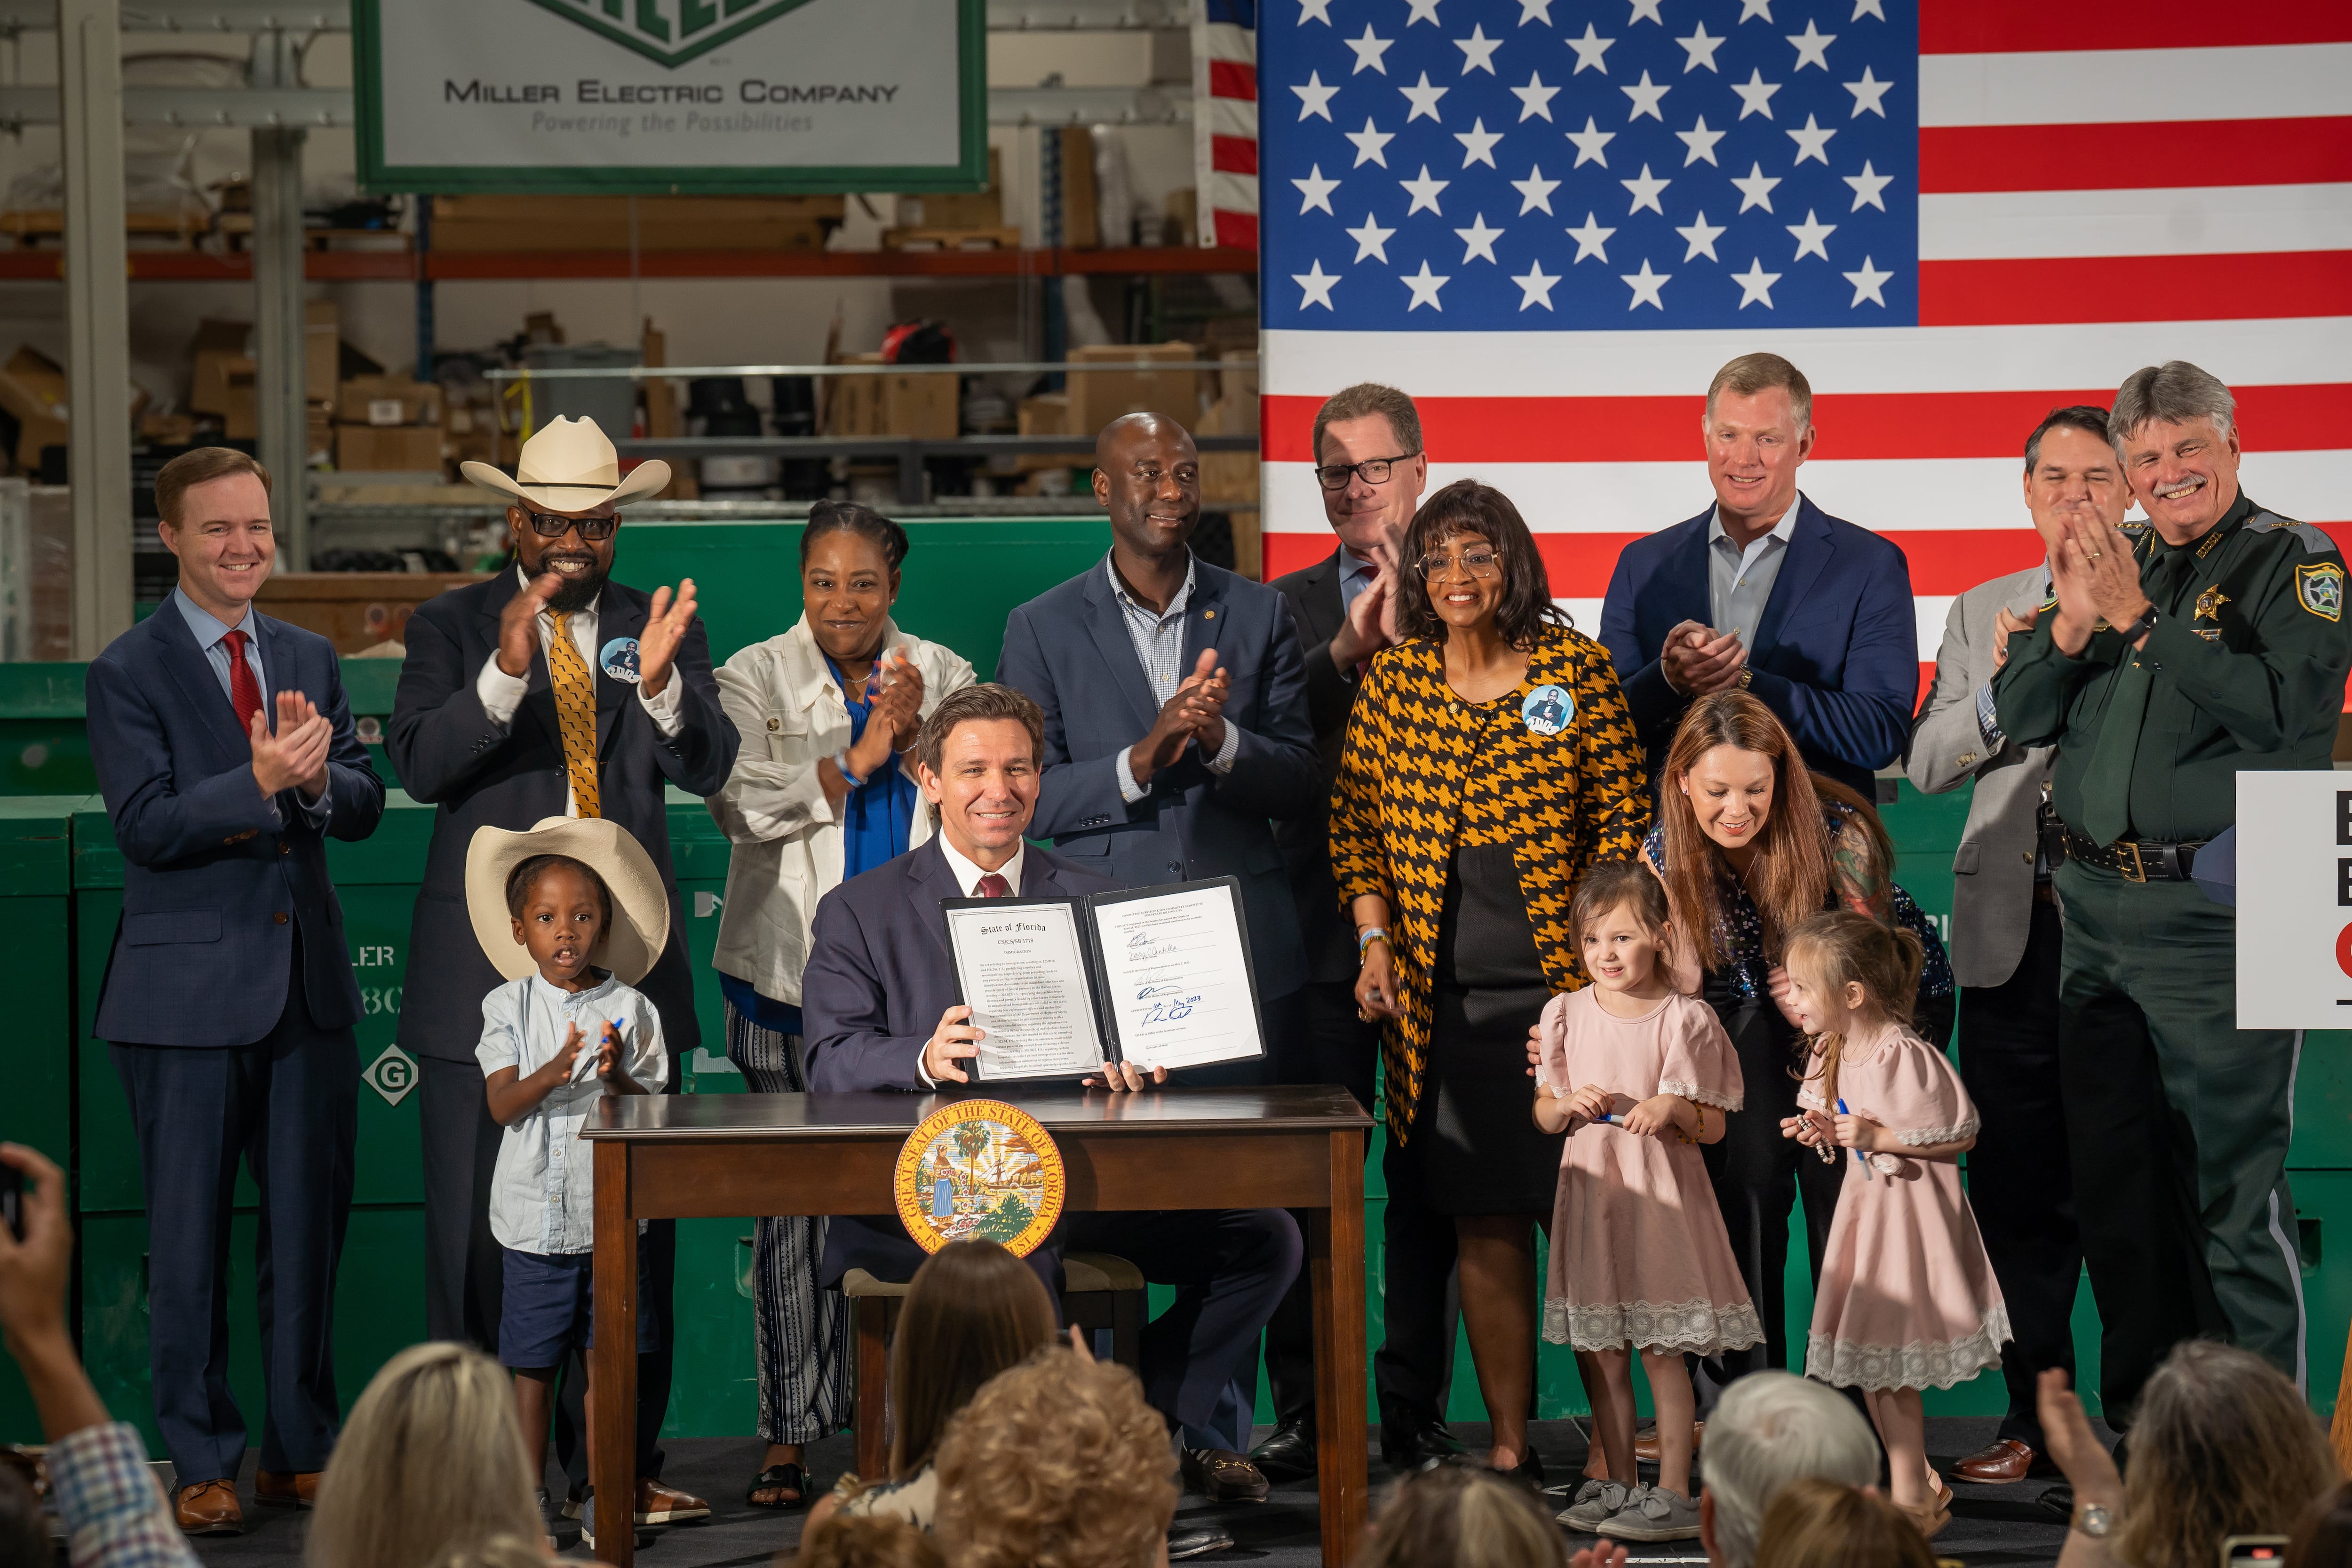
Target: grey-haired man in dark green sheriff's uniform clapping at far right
point(2167, 662)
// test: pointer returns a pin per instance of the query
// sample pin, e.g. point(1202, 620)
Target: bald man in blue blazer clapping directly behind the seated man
point(1175, 711)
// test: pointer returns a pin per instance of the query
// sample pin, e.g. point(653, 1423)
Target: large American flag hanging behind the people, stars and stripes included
point(1553, 220)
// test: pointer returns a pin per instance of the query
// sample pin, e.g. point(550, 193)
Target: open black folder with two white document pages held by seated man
point(1151, 977)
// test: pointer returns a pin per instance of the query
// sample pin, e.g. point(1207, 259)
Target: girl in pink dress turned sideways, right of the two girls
point(1906, 1296)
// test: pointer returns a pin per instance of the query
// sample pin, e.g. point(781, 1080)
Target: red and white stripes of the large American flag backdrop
point(2099, 189)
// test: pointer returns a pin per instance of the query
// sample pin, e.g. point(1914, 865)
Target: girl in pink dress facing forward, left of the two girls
point(1638, 1078)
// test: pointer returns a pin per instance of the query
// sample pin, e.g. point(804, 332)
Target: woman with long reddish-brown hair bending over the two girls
point(1749, 843)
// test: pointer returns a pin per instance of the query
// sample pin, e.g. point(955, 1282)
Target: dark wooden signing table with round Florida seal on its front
point(662, 1158)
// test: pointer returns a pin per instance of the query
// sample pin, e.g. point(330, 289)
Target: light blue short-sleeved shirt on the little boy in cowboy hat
point(542, 1193)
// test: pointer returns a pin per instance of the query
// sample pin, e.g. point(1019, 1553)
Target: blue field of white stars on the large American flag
point(1490, 166)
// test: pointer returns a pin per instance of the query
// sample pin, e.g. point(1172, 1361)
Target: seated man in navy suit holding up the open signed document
point(878, 1012)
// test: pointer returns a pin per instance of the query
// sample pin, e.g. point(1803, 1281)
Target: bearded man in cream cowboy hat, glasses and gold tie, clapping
point(516, 706)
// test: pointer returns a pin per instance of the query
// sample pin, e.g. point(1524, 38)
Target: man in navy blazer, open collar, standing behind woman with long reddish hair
point(1768, 594)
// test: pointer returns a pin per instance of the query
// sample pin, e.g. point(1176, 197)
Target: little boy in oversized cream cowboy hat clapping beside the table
point(570, 913)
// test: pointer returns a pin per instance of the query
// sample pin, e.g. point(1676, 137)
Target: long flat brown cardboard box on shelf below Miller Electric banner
point(664, 222)
